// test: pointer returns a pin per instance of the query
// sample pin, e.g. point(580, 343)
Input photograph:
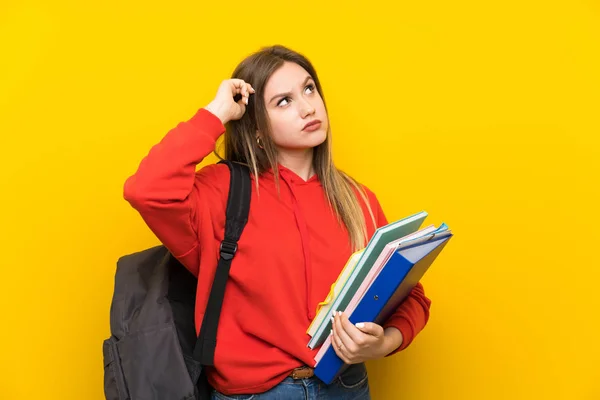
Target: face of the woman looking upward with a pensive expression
point(292, 101)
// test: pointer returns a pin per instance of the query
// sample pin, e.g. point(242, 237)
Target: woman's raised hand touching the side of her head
point(223, 105)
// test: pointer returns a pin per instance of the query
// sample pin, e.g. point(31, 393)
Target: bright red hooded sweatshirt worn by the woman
point(290, 252)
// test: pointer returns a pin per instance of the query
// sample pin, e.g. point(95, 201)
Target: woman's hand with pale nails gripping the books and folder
point(357, 343)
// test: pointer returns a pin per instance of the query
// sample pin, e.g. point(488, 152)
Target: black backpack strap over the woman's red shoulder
point(238, 207)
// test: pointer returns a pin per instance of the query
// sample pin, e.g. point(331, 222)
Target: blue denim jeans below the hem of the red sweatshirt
point(353, 384)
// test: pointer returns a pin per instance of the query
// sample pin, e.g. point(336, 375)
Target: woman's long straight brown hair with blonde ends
point(241, 145)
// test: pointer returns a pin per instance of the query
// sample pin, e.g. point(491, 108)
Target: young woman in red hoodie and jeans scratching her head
point(306, 218)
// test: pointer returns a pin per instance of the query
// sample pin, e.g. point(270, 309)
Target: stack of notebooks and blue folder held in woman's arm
point(375, 281)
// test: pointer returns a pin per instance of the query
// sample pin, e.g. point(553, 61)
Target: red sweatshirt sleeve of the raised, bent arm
point(165, 189)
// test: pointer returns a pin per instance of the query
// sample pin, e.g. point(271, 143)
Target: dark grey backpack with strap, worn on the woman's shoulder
point(153, 352)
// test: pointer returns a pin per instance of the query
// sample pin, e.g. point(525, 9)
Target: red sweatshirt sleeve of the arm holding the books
point(412, 314)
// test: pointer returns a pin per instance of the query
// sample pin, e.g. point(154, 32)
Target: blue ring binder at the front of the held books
point(393, 284)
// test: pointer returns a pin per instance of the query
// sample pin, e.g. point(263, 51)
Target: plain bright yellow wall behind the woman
point(484, 114)
